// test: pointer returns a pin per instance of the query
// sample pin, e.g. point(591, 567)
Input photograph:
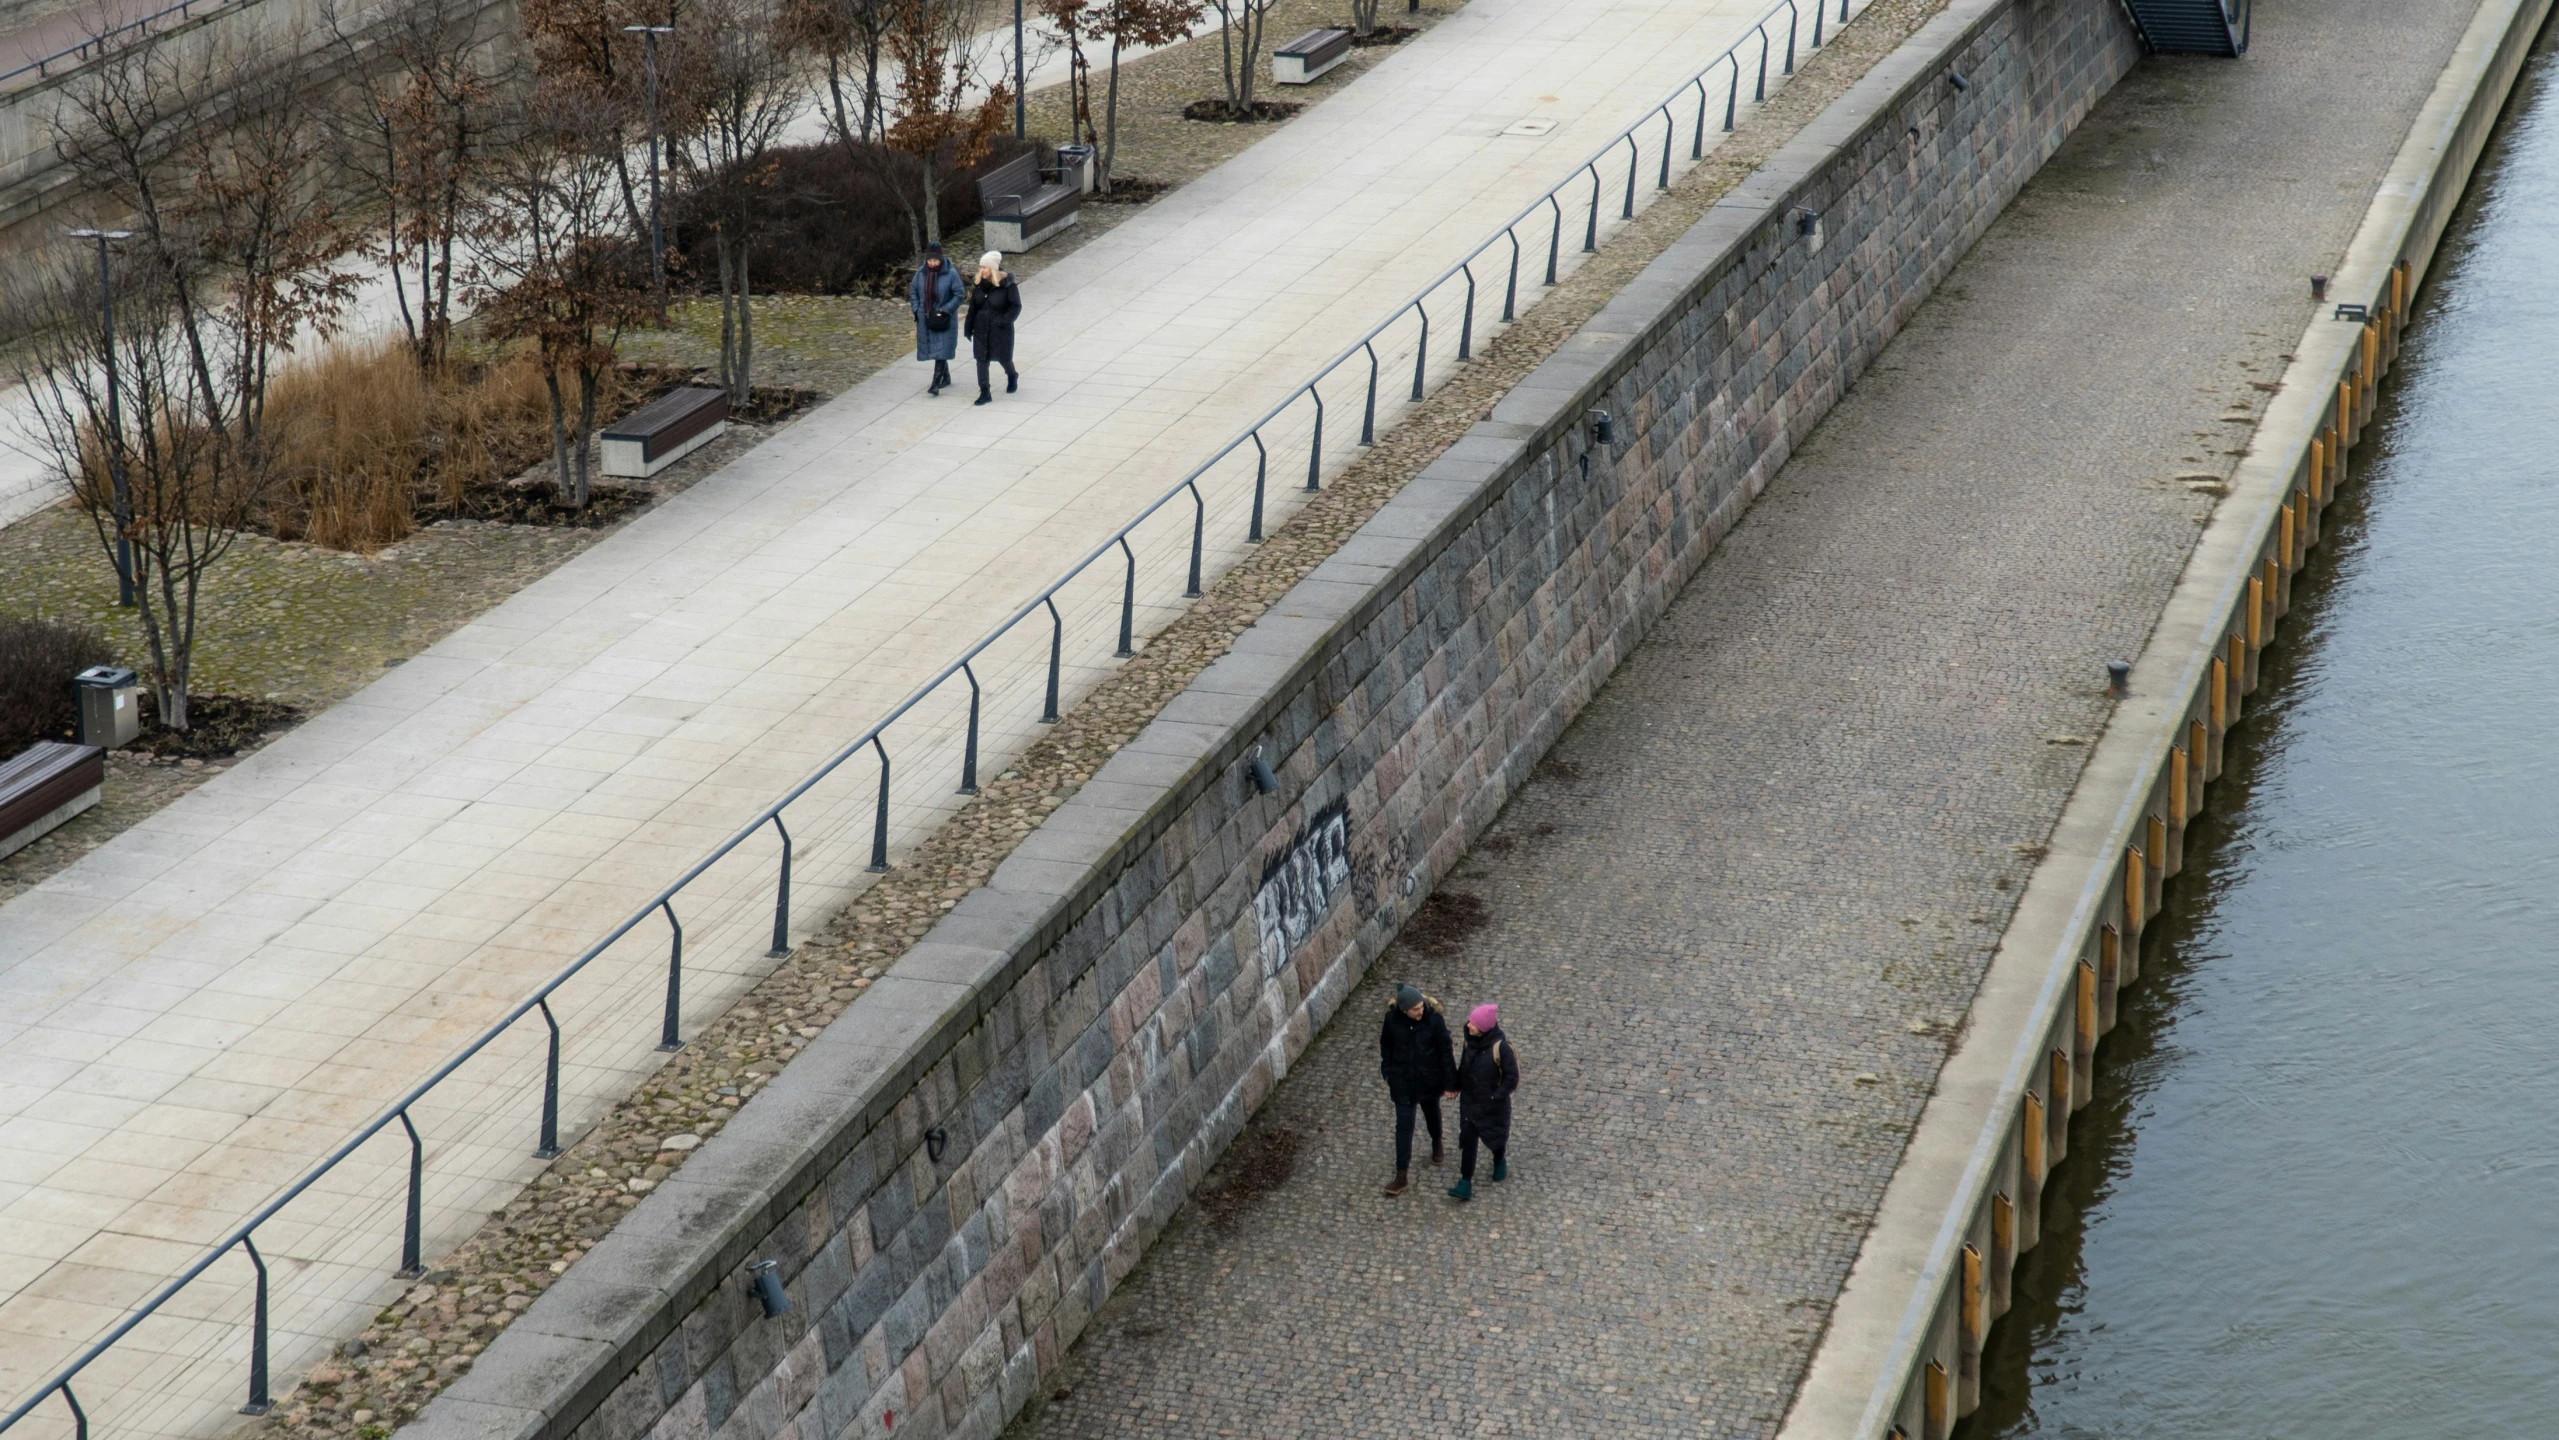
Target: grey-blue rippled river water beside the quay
point(2320, 1186)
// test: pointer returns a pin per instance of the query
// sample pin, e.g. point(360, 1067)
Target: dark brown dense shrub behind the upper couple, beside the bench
point(833, 224)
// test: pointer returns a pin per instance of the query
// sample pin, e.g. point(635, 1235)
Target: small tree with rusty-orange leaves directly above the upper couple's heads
point(935, 121)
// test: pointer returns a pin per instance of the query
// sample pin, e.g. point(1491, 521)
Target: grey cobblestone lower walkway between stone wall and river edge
point(1736, 914)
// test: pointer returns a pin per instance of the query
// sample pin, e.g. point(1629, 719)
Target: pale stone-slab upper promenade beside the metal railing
point(214, 999)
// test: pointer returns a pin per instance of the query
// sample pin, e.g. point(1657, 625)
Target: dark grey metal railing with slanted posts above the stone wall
point(1764, 47)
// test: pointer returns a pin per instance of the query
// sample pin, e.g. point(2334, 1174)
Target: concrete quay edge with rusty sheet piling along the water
point(1903, 1354)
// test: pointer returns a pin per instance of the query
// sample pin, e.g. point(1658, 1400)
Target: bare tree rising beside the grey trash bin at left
point(147, 462)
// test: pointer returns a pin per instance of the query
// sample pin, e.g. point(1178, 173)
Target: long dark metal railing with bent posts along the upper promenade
point(874, 738)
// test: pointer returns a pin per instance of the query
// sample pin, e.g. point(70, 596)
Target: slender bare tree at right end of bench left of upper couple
point(741, 93)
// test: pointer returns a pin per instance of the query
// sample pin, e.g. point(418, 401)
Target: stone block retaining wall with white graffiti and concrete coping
point(963, 1168)
